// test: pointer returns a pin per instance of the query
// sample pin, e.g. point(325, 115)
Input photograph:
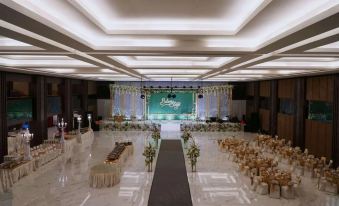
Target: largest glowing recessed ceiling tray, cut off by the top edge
point(170, 16)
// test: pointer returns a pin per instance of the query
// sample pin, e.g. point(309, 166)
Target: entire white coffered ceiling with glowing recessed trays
point(214, 40)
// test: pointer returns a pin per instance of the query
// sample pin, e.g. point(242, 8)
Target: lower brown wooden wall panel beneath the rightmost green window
point(318, 138)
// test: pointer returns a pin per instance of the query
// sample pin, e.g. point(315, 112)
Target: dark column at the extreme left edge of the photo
point(3, 114)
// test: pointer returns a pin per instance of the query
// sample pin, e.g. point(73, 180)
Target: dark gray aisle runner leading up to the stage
point(170, 184)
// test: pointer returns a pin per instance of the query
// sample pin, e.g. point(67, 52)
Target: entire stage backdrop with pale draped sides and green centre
point(171, 98)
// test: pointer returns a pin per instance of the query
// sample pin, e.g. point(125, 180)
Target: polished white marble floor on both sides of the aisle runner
point(217, 182)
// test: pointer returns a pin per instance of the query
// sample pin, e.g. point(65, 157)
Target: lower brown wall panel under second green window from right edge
point(285, 127)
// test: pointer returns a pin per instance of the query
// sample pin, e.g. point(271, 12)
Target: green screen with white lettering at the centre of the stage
point(162, 107)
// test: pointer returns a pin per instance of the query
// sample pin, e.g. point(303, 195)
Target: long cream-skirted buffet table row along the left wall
point(15, 168)
